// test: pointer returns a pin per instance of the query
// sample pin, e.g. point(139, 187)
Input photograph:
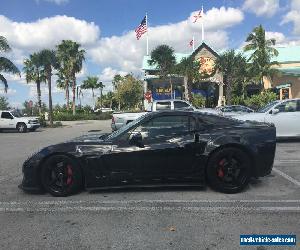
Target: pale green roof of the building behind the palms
point(286, 55)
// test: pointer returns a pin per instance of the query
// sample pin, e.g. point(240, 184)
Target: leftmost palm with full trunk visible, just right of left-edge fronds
point(34, 71)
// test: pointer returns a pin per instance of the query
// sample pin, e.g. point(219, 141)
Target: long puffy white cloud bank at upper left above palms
point(48, 32)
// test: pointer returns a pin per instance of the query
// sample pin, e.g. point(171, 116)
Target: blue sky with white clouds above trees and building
point(105, 30)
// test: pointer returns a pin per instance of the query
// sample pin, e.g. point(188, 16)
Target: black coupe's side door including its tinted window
point(168, 154)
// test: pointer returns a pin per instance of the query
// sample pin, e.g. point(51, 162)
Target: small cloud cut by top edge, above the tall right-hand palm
point(262, 7)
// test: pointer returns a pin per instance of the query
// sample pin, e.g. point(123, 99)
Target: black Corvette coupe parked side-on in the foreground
point(174, 148)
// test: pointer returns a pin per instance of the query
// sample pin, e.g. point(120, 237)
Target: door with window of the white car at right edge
point(286, 118)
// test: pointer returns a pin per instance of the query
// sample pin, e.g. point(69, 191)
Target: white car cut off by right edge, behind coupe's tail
point(284, 114)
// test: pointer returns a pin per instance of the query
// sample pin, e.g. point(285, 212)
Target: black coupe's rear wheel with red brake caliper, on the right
point(229, 170)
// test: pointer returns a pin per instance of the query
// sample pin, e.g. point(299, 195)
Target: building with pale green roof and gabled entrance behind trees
point(287, 83)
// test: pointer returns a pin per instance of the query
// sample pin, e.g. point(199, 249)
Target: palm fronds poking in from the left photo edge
point(5, 64)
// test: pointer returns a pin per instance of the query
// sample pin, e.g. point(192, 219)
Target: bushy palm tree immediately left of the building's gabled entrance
point(189, 68)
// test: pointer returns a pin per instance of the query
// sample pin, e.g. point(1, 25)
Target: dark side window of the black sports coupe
point(166, 126)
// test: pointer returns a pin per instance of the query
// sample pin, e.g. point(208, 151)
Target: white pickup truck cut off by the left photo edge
point(12, 119)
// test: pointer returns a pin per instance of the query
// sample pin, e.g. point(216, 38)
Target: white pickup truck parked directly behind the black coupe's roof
point(120, 119)
